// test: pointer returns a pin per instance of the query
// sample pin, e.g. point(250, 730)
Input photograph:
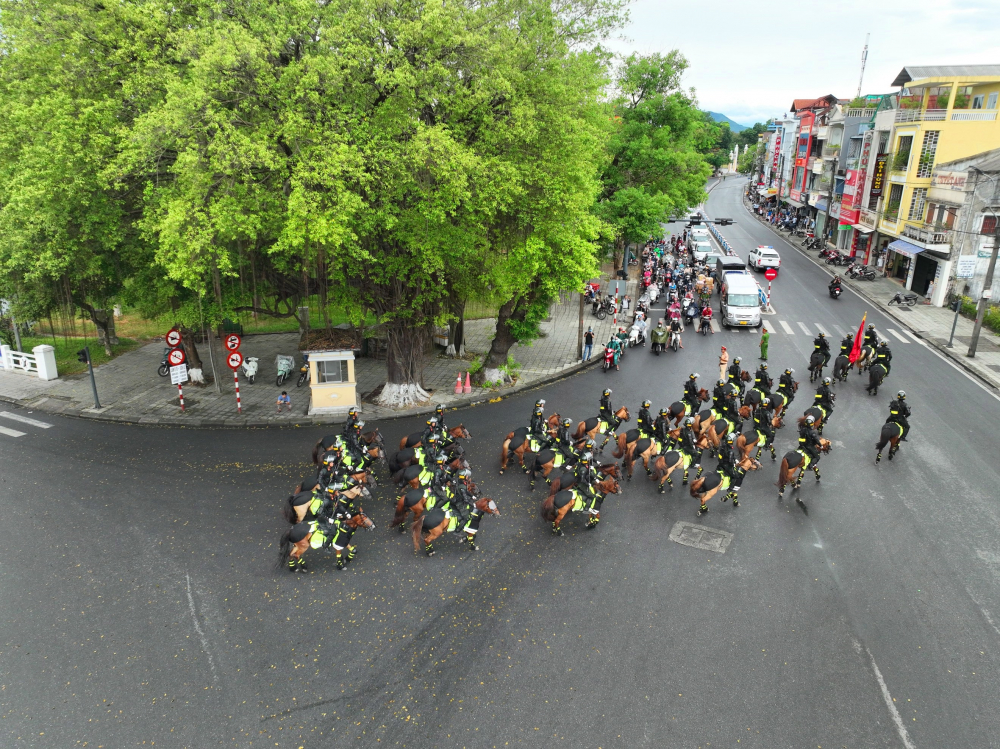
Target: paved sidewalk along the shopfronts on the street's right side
point(932, 324)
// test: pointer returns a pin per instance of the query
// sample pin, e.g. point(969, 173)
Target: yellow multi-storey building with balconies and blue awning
point(942, 114)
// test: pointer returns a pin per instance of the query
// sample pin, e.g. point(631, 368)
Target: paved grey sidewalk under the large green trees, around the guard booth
point(131, 392)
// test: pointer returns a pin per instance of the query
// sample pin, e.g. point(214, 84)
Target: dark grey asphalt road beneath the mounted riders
point(140, 604)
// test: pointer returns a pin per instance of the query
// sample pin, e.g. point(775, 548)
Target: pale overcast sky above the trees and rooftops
point(749, 60)
